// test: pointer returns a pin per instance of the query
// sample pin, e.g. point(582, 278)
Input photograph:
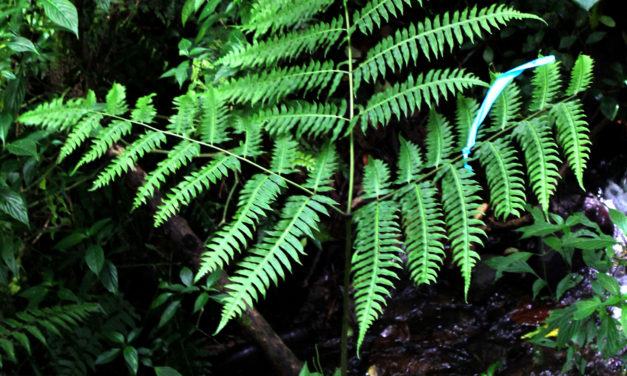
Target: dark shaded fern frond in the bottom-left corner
point(35, 322)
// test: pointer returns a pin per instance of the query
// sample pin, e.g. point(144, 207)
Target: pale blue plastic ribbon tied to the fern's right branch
point(497, 87)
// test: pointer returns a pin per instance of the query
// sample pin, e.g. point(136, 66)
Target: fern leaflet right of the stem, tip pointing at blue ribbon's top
point(403, 98)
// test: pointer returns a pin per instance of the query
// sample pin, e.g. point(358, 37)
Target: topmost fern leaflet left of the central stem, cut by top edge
point(277, 15)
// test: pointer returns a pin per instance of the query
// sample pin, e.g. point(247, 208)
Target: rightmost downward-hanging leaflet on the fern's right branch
point(572, 135)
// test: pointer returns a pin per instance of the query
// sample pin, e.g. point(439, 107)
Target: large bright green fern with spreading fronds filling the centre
point(279, 110)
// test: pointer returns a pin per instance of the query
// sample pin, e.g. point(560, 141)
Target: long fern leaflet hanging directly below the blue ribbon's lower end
point(460, 202)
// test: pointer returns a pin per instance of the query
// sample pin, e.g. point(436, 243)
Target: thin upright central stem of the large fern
point(348, 213)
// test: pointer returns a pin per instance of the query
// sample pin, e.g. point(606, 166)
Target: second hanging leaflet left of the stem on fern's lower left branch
point(254, 204)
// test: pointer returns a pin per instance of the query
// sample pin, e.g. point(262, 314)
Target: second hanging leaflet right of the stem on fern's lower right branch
point(424, 231)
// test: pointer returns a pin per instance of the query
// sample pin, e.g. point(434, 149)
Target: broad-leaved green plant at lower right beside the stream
point(598, 322)
